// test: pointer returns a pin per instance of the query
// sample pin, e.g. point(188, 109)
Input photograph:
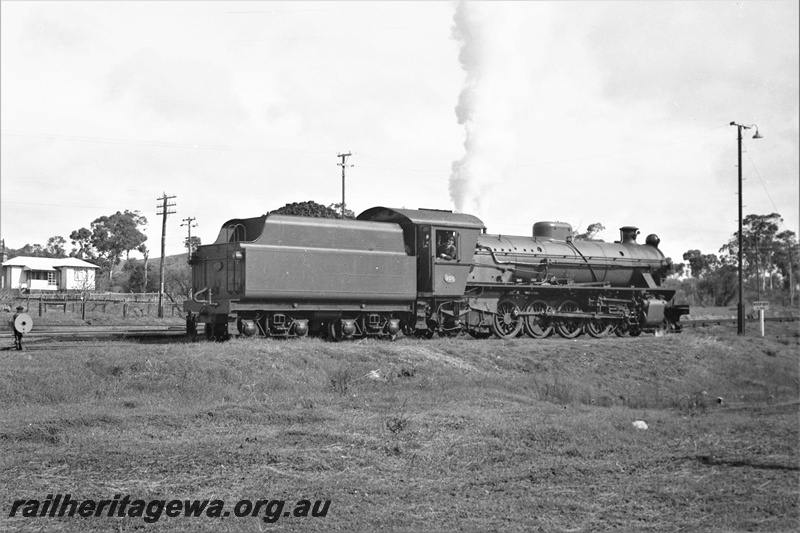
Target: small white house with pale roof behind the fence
point(48, 274)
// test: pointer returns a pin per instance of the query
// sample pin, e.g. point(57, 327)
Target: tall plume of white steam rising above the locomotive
point(490, 101)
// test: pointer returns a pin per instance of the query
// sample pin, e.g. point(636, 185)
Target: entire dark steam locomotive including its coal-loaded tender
point(382, 273)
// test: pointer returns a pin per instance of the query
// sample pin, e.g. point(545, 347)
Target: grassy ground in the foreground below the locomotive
point(440, 435)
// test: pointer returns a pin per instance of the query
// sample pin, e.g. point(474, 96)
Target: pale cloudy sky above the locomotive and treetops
point(582, 112)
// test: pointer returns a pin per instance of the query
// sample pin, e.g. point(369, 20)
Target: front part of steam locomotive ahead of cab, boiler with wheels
point(548, 282)
